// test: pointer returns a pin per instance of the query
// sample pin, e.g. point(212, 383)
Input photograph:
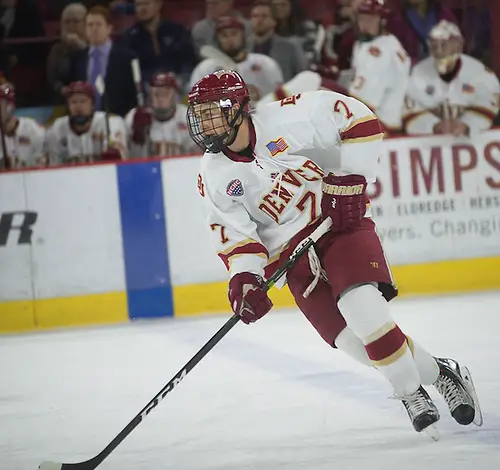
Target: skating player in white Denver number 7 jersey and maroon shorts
point(267, 180)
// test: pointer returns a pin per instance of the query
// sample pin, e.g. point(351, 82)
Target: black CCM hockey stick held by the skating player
point(278, 274)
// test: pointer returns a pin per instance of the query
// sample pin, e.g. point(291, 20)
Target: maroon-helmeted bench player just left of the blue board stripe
point(85, 135)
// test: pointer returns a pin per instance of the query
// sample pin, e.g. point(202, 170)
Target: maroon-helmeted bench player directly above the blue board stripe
point(159, 129)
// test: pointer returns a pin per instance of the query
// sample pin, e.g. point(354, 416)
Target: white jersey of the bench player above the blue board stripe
point(165, 137)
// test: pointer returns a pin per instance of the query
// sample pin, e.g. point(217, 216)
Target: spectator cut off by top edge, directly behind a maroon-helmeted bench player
point(203, 32)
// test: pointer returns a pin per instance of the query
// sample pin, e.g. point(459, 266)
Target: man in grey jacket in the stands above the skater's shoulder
point(289, 56)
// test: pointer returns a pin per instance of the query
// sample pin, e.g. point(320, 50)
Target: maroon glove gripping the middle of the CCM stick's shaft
point(247, 297)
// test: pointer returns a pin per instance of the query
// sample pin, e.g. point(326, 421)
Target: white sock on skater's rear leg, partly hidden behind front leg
point(350, 344)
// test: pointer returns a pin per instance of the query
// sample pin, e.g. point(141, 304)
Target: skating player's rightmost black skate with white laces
point(455, 385)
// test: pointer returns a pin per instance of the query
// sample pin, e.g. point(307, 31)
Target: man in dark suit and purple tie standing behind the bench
point(111, 62)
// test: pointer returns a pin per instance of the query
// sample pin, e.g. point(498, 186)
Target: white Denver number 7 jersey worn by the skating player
point(255, 207)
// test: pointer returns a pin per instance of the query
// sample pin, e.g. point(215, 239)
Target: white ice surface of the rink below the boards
point(270, 396)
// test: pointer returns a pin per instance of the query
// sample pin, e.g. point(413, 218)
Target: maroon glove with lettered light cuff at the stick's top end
point(344, 200)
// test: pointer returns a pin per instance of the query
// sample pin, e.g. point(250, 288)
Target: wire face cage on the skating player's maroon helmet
point(214, 124)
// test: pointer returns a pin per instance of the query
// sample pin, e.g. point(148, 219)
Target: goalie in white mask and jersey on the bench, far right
point(450, 92)
